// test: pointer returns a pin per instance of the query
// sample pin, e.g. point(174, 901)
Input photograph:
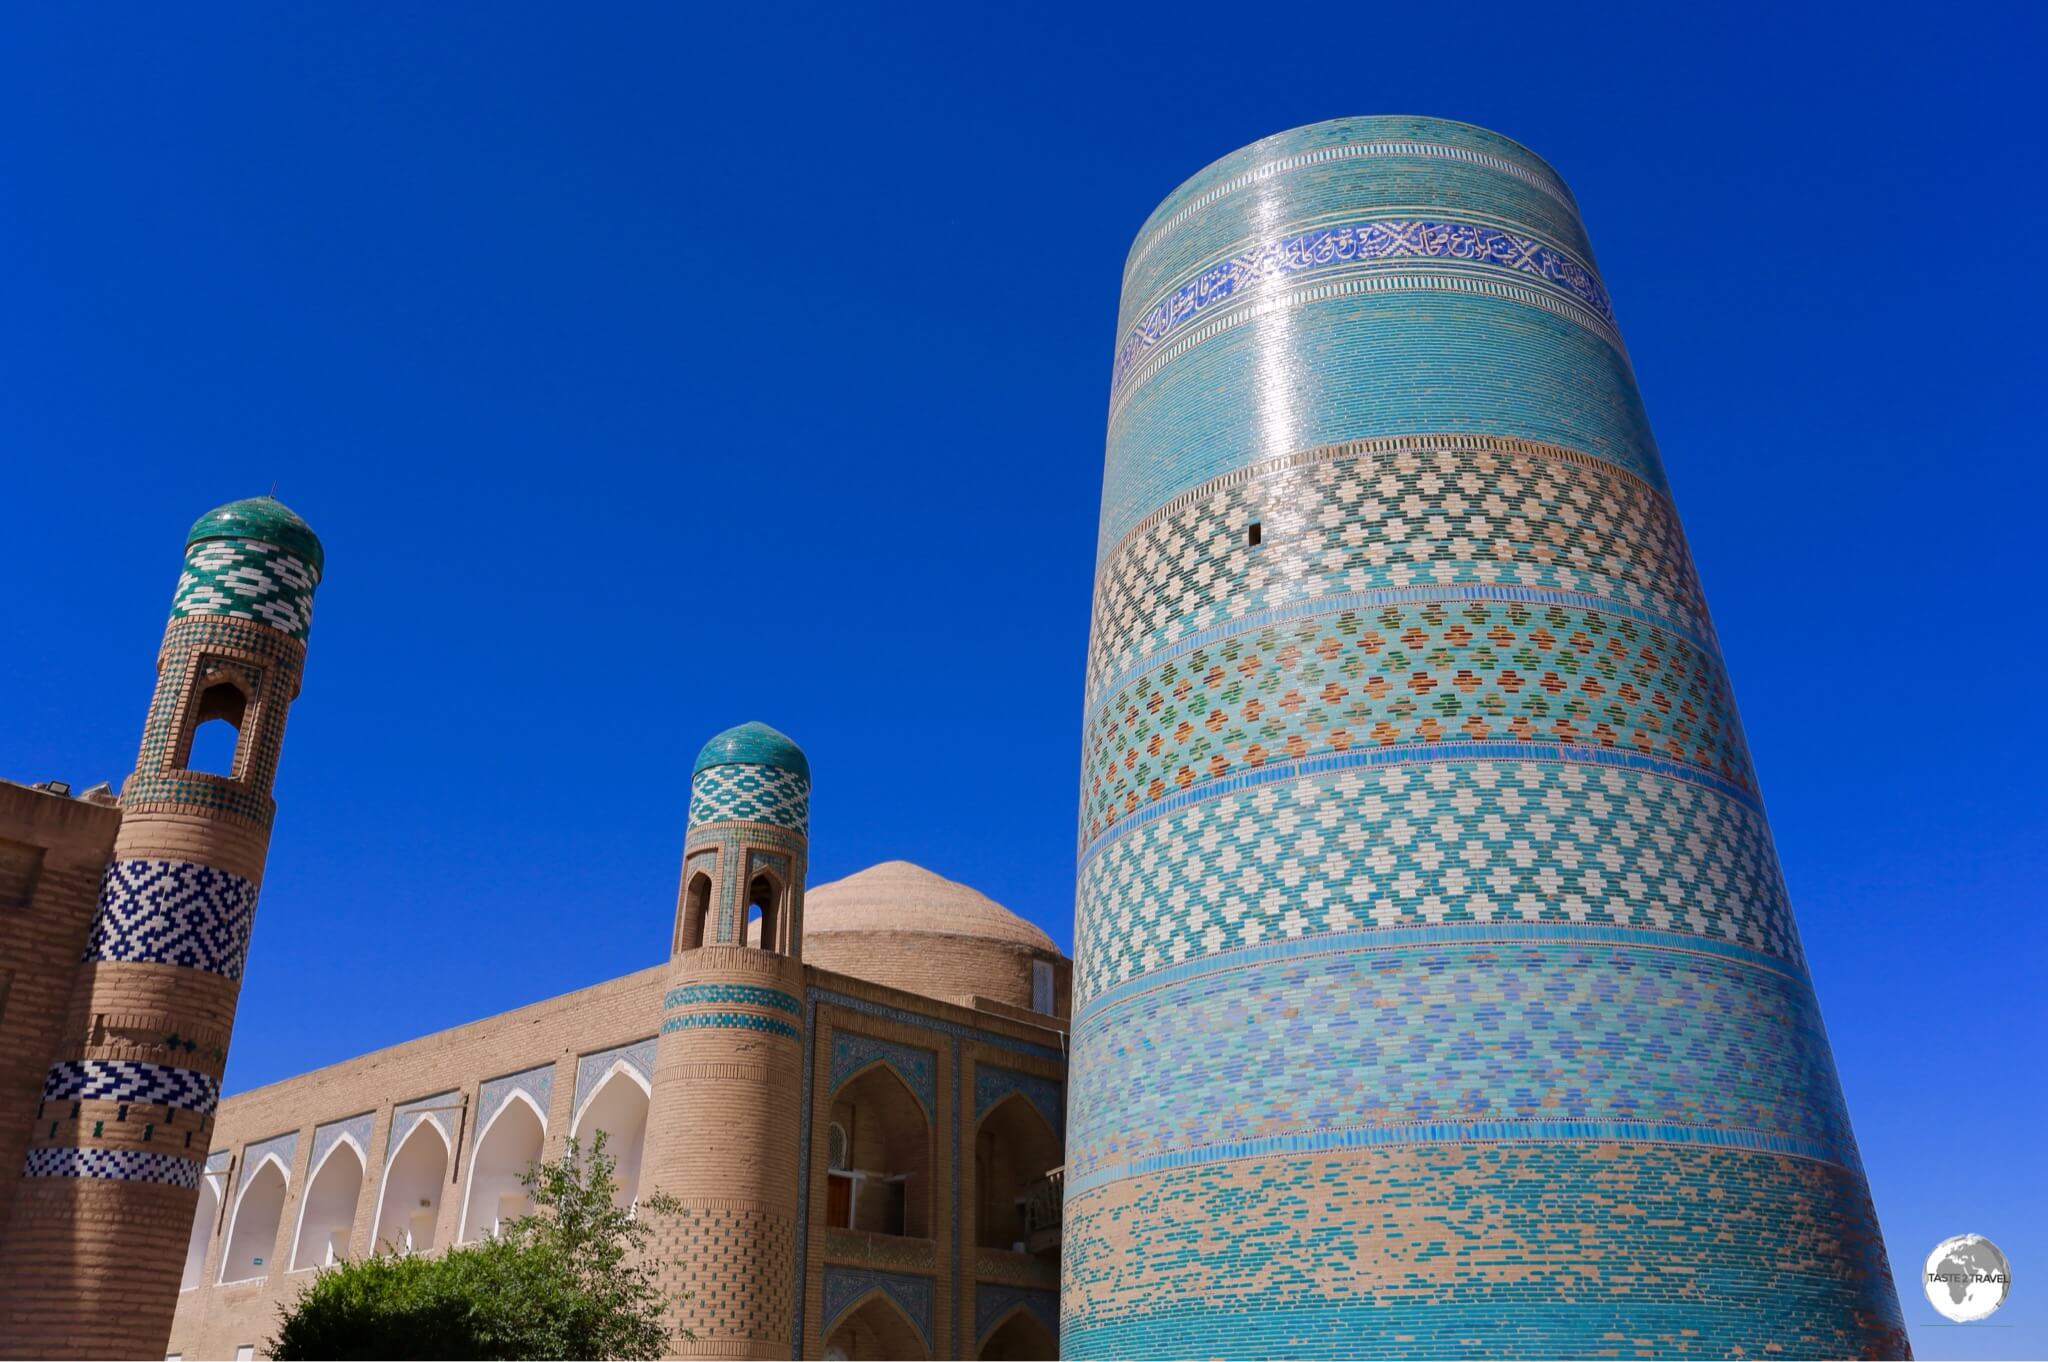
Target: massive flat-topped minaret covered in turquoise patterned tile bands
point(1437, 988)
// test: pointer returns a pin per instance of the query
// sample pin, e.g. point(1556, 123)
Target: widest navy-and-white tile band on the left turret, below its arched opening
point(173, 912)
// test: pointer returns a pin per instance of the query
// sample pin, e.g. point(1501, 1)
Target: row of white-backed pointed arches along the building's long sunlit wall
point(407, 1211)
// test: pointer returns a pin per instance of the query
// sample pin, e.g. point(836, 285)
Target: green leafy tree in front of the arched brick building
point(568, 1281)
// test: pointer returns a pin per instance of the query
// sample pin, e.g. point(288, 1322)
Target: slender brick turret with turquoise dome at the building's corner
point(724, 1125)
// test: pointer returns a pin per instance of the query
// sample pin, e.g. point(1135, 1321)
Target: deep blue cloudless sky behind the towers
point(654, 368)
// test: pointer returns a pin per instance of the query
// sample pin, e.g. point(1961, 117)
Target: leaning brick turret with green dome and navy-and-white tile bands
point(95, 1246)
